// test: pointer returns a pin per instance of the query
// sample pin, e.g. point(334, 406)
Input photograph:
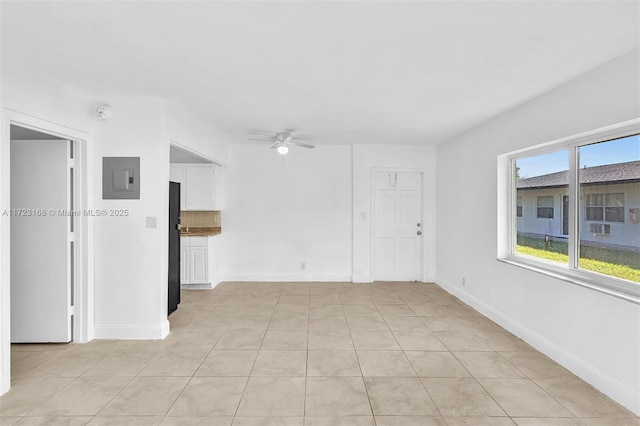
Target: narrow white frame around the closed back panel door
point(423, 245)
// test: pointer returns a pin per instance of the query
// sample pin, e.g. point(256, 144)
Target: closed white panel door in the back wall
point(397, 226)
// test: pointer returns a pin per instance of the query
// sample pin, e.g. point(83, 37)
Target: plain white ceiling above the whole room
point(348, 72)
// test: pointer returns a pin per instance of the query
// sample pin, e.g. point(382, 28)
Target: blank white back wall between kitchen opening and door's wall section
point(280, 214)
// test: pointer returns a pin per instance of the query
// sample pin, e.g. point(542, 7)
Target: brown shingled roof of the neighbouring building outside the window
point(599, 175)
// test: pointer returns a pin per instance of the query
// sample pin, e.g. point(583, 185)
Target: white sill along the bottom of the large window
point(622, 289)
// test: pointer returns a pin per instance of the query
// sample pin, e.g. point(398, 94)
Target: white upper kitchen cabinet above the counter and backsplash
point(197, 189)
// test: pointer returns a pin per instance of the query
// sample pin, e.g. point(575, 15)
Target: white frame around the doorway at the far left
point(84, 228)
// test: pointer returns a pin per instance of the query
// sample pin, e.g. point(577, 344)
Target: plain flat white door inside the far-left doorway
point(40, 250)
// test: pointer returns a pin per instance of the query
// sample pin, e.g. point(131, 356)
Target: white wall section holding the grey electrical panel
point(131, 259)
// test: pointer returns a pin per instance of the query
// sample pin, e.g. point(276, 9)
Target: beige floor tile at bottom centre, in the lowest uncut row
point(336, 396)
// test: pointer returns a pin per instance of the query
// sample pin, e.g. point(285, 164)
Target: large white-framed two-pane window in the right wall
point(588, 190)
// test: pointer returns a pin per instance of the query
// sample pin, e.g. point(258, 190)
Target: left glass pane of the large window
point(542, 183)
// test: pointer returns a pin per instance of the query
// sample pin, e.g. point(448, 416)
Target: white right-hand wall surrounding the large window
point(595, 335)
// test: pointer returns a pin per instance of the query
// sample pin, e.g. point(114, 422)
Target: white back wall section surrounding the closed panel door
point(368, 157)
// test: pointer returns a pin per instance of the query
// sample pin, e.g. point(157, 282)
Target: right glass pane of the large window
point(609, 232)
